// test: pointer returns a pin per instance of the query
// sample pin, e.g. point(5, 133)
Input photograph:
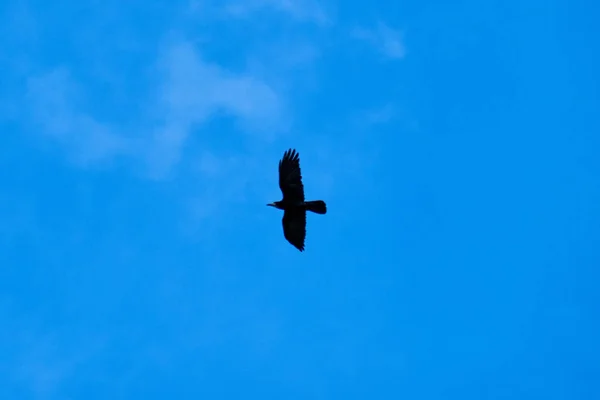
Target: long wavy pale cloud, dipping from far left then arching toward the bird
point(190, 92)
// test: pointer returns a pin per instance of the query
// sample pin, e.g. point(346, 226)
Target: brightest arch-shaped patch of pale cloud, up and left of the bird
point(194, 90)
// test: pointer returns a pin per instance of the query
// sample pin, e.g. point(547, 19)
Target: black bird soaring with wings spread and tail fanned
point(293, 204)
